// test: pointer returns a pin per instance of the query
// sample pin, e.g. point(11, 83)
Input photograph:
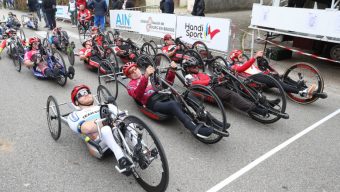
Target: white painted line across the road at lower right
point(259, 160)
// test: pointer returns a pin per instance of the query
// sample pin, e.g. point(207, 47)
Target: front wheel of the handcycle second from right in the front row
point(272, 98)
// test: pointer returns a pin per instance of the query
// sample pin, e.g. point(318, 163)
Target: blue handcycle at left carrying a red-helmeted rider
point(55, 61)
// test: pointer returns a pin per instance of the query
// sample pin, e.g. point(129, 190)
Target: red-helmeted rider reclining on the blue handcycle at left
point(35, 58)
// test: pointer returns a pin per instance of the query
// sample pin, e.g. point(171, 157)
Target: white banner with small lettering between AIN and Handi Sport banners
point(157, 25)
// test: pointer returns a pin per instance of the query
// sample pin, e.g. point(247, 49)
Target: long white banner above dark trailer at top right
point(311, 21)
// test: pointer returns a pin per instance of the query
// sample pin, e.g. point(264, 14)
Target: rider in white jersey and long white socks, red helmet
point(82, 121)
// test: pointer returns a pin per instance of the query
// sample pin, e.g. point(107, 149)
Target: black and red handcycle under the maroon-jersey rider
point(190, 99)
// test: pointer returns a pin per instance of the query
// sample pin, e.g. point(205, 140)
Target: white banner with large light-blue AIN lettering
point(124, 20)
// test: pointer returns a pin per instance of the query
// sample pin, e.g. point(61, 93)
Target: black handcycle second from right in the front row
point(272, 99)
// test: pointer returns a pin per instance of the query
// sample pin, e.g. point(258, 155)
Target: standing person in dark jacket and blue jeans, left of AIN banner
point(100, 10)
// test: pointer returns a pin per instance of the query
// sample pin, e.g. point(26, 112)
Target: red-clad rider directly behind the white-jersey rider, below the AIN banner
point(92, 61)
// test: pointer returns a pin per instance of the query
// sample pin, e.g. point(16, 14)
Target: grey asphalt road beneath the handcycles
point(30, 160)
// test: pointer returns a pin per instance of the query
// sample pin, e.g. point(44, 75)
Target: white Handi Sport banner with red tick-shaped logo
point(214, 32)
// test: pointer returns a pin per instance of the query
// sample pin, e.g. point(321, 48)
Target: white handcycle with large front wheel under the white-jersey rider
point(149, 163)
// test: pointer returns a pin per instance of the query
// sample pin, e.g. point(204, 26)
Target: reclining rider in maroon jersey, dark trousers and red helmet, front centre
point(142, 91)
